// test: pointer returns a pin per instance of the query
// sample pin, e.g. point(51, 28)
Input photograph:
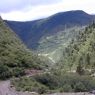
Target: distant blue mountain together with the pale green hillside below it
point(50, 35)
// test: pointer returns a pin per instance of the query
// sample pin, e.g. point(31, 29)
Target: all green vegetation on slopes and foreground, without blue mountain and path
point(73, 73)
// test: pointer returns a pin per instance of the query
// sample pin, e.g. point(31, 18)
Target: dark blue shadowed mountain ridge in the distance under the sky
point(32, 31)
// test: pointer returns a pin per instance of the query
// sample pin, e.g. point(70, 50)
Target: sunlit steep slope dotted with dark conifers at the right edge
point(80, 53)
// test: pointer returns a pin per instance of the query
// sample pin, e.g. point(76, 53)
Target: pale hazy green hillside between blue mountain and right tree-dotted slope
point(52, 46)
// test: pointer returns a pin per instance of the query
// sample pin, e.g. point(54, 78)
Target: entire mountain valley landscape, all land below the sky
point(50, 55)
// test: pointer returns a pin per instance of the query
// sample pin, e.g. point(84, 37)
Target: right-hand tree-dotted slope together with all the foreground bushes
point(73, 73)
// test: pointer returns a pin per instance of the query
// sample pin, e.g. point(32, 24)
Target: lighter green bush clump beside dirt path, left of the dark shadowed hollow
point(29, 84)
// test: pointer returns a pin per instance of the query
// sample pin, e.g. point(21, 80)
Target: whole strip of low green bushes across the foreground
point(48, 83)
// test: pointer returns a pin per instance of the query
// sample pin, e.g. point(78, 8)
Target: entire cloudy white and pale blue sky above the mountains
point(27, 10)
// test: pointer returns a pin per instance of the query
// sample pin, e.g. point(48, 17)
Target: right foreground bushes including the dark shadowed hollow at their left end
point(67, 82)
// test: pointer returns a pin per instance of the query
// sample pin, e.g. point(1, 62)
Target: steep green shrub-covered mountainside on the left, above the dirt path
point(14, 55)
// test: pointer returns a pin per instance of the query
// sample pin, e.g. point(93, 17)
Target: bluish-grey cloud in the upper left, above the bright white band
point(15, 5)
